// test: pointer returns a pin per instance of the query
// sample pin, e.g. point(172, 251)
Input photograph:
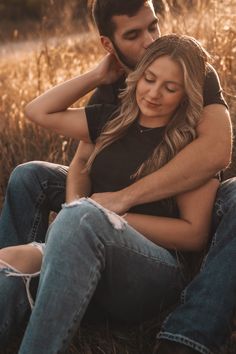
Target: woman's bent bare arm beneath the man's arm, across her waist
point(188, 233)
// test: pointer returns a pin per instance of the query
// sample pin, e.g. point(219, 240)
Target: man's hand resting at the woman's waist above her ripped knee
point(114, 201)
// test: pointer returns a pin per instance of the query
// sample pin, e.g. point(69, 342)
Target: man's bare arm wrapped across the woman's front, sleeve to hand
point(189, 169)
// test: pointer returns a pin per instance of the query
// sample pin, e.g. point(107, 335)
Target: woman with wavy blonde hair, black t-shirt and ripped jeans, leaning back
point(130, 266)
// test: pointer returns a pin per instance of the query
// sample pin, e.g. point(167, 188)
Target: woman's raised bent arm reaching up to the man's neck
point(51, 109)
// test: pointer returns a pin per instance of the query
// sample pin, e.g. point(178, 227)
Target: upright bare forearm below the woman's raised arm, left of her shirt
point(78, 181)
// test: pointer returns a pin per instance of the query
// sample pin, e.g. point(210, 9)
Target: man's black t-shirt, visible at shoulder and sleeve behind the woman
point(212, 91)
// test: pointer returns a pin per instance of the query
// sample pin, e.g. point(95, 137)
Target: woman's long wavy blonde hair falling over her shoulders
point(181, 129)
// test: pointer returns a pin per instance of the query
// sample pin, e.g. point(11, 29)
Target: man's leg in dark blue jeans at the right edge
point(203, 320)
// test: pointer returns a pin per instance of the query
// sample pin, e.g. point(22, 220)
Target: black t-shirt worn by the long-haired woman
point(115, 165)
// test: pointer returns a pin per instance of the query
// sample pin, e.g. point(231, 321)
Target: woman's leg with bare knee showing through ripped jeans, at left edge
point(15, 298)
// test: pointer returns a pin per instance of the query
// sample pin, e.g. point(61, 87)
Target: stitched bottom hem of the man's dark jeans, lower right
point(184, 340)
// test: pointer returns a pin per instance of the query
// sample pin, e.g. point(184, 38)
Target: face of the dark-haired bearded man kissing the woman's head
point(134, 34)
